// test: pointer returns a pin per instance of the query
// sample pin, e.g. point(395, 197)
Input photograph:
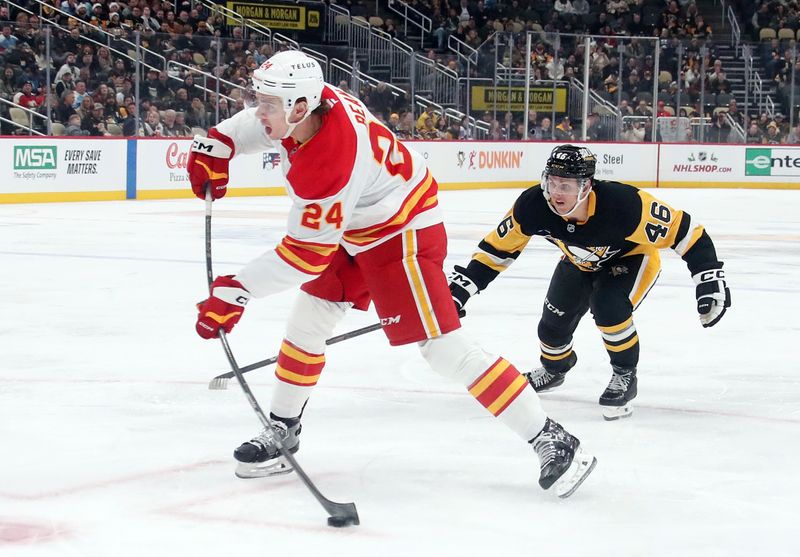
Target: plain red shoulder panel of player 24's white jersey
point(323, 165)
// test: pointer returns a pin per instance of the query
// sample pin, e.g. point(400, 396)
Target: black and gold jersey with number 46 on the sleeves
point(623, 221)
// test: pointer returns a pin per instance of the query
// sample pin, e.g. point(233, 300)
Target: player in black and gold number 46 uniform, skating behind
point(610, 234)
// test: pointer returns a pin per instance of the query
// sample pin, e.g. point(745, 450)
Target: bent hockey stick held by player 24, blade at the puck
point(340, 514)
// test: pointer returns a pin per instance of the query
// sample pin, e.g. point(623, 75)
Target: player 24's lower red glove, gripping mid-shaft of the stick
point(223, 309)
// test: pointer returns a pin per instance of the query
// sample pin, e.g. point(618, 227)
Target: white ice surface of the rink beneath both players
point(113, 446)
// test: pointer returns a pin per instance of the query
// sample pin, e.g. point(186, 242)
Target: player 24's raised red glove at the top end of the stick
point(208, 163)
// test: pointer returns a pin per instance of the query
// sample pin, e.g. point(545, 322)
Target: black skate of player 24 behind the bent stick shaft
point(260, 457)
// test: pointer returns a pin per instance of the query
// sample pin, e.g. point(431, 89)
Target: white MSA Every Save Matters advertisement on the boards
point(57, 165)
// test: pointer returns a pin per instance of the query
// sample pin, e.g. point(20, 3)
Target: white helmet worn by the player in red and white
point(291, 75)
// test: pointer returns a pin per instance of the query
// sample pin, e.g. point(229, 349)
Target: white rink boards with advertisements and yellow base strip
point(47, 169)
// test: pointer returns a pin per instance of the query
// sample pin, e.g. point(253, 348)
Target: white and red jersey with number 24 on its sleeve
point(353, 184)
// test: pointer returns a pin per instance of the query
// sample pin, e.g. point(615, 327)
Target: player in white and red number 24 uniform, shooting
point(364, 226)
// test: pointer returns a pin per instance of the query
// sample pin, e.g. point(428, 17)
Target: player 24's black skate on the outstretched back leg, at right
point(563, 462)
